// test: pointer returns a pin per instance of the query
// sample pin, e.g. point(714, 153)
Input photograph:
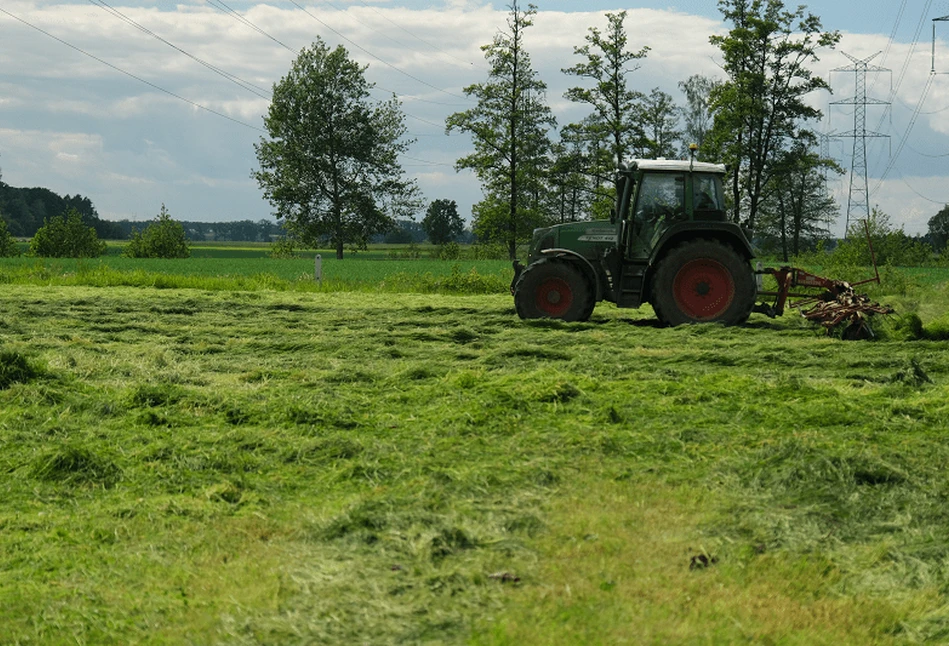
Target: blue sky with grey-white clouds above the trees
point(139, 104)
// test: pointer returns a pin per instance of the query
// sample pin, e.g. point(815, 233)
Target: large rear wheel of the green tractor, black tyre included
point(703, 281)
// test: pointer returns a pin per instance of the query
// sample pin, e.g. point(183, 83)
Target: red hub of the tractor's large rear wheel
point(703, 289)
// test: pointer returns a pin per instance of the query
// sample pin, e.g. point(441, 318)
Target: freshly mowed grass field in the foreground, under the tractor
point(276, 464)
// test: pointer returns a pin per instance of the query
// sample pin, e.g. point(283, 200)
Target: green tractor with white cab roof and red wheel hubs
point(668, 243)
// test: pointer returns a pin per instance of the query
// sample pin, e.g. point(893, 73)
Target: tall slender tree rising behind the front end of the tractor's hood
point(509, 127)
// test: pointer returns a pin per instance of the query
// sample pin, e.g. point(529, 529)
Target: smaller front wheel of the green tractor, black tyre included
point(553, 289)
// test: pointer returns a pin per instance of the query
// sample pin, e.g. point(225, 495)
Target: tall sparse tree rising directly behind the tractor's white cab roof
point(616, 108)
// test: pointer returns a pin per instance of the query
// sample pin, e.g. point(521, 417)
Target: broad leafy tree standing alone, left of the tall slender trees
point(331, 165)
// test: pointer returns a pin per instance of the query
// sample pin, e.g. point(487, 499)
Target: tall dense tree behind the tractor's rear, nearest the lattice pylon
point(761, 108)
